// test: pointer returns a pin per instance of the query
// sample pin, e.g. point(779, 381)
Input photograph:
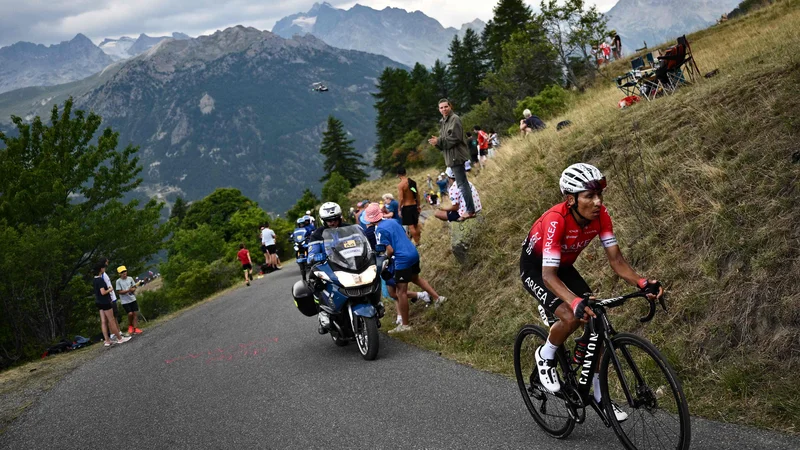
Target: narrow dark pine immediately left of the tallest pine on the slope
point(467, 69)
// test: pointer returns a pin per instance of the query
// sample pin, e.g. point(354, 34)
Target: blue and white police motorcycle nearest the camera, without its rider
point(344, 288)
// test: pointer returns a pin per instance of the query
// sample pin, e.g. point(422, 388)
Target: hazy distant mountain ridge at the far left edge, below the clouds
point(26, 64)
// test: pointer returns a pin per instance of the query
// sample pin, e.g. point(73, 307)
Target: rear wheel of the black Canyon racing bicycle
point(549, 411)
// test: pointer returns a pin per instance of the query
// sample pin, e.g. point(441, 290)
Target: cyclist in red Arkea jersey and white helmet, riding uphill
point(548, 255)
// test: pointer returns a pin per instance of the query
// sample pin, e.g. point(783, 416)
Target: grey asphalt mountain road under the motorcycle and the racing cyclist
point(248, 370)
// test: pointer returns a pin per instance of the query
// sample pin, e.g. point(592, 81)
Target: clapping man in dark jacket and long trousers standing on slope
point(451, 142)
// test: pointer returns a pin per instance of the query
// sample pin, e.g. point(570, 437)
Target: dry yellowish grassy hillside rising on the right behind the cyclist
point(703, 189)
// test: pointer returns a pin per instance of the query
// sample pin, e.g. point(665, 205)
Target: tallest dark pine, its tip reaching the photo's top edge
point(510, 16)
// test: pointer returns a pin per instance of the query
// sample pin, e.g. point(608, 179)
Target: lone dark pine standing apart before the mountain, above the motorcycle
point(340, 156)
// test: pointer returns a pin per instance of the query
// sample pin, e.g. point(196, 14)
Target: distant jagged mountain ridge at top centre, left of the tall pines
point(406, 37)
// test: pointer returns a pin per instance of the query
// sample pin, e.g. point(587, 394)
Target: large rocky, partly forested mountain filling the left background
point(234, 109)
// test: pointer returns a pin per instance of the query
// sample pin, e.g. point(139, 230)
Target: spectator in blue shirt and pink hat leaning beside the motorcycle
point(390, 234)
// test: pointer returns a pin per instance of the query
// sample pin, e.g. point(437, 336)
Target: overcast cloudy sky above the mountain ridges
point(53, 21)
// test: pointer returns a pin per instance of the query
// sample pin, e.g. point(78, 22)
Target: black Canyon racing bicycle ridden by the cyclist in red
point(634, 375)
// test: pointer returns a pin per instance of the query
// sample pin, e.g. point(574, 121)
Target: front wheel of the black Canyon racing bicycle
point(658, 415)
